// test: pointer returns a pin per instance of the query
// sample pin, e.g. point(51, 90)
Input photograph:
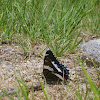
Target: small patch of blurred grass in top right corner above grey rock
point(92, 20)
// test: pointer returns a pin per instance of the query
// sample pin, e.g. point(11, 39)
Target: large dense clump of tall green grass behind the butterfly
point(55, 22)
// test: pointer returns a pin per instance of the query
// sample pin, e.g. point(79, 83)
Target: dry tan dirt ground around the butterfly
point(12, 61)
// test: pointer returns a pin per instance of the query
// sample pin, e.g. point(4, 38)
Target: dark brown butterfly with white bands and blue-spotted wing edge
point(52, 69)
